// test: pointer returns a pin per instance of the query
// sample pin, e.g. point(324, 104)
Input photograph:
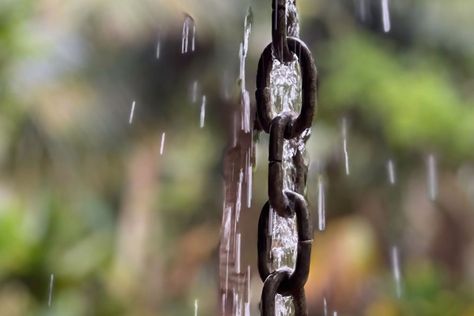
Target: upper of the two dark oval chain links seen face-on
point(309, 88)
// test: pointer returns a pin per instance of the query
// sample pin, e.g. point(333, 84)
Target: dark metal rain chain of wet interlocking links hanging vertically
point(286, 125)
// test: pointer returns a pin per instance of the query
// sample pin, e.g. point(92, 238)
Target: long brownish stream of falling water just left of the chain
point(237, 169)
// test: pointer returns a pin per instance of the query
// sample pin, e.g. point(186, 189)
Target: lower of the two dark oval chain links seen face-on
point(298, 277)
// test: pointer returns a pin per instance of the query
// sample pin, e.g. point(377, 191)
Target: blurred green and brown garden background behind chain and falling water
point(87, 197)
